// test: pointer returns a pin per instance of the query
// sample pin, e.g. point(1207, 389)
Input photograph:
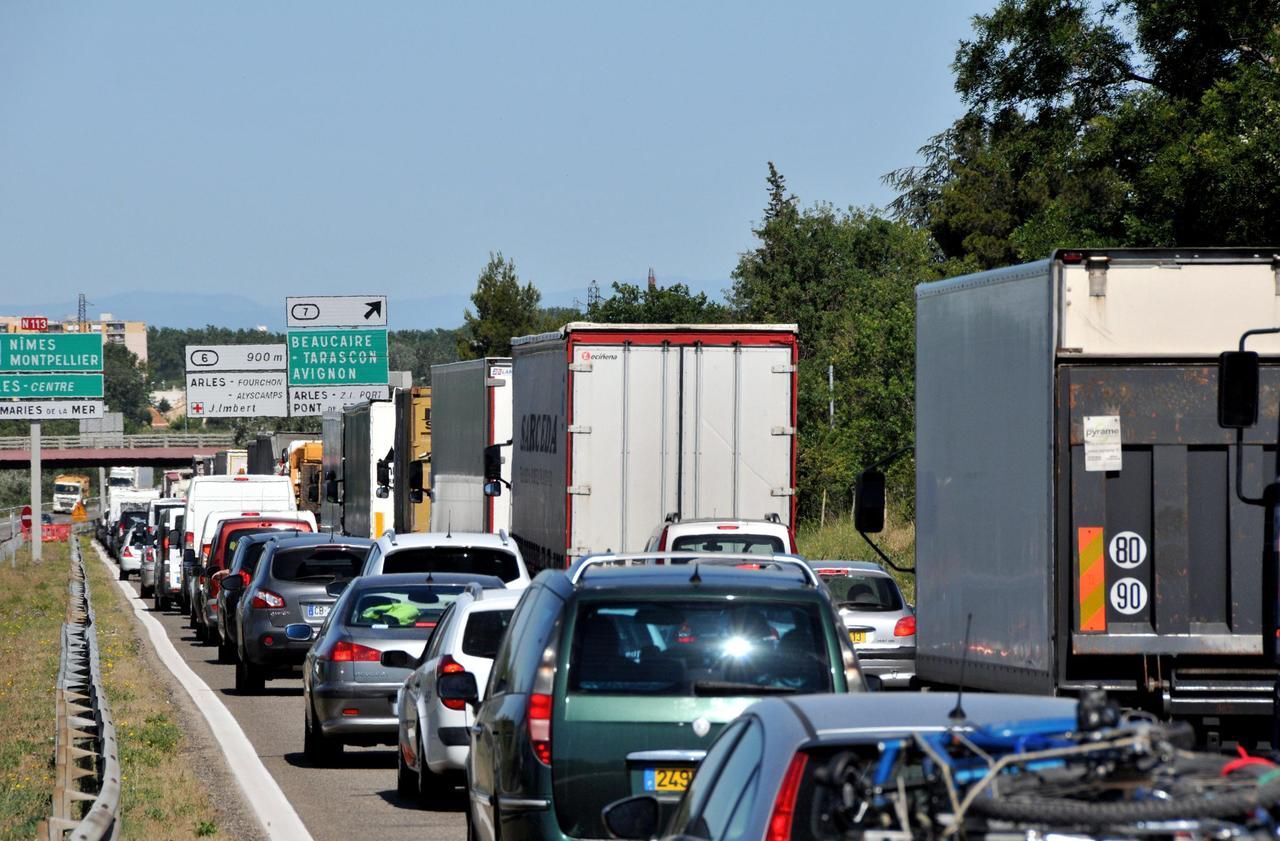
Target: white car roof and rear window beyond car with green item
point(482, 552)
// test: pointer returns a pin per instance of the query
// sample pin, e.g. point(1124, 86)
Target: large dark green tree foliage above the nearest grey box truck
point(1127, 124)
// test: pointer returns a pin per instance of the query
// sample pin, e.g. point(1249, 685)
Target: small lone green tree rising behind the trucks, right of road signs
point(504, 309)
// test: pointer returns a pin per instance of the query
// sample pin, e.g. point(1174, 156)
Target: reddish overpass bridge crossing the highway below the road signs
point(108, 450)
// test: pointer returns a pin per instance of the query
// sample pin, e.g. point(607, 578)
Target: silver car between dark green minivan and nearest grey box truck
point(880, 621)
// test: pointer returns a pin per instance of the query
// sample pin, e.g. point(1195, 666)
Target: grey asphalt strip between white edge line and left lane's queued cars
point(354, 799)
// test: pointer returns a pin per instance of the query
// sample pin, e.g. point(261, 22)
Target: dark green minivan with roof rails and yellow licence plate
point(616, 677)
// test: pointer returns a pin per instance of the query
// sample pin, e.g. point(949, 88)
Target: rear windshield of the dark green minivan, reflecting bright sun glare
point(700, 648)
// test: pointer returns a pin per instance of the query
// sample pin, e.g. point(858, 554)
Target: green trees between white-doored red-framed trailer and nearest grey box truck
point(848, 278)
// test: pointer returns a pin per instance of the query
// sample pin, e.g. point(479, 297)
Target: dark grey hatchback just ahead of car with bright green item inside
point(291, 587)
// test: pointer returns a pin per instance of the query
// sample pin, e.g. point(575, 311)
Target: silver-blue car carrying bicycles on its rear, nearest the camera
point(762, 780)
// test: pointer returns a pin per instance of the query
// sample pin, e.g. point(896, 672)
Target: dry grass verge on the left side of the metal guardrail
point(33, 609)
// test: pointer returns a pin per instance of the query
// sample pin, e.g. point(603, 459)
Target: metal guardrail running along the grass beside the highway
point(86, 761)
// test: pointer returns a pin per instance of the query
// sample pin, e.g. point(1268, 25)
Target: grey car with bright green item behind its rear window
point(350, 682)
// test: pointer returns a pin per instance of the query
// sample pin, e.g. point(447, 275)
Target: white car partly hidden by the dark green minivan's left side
point(436, 735)
